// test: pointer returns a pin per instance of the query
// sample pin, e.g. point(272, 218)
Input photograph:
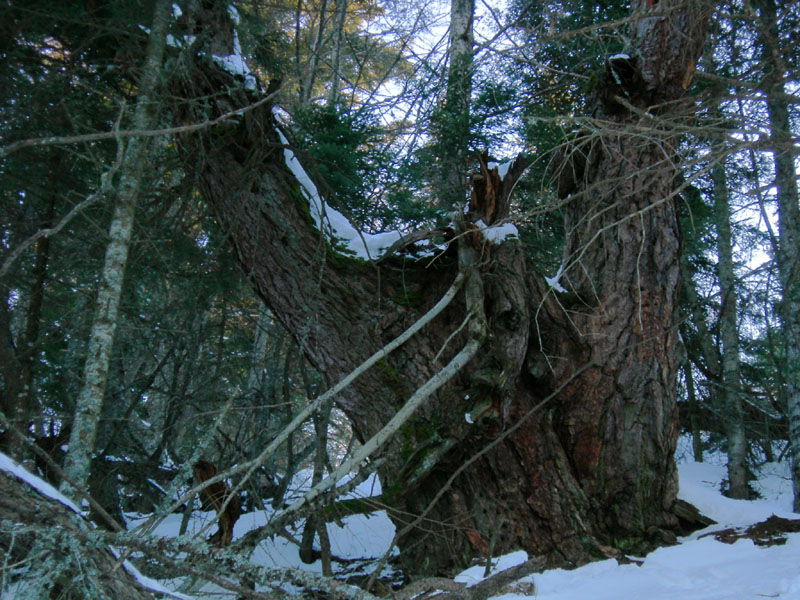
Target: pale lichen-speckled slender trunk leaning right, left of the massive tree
point(101, 338)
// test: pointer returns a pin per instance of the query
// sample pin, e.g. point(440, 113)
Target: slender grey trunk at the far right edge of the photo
point(788, 254)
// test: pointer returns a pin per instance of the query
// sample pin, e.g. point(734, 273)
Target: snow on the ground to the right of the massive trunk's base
point(699, 568)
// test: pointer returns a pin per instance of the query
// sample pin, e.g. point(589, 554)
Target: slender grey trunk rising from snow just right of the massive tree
point(732, 401)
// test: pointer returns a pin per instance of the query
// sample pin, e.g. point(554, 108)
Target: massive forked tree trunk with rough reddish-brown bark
point(594, 466)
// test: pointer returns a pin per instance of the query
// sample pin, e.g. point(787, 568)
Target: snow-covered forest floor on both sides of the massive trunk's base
point(729, 560)
